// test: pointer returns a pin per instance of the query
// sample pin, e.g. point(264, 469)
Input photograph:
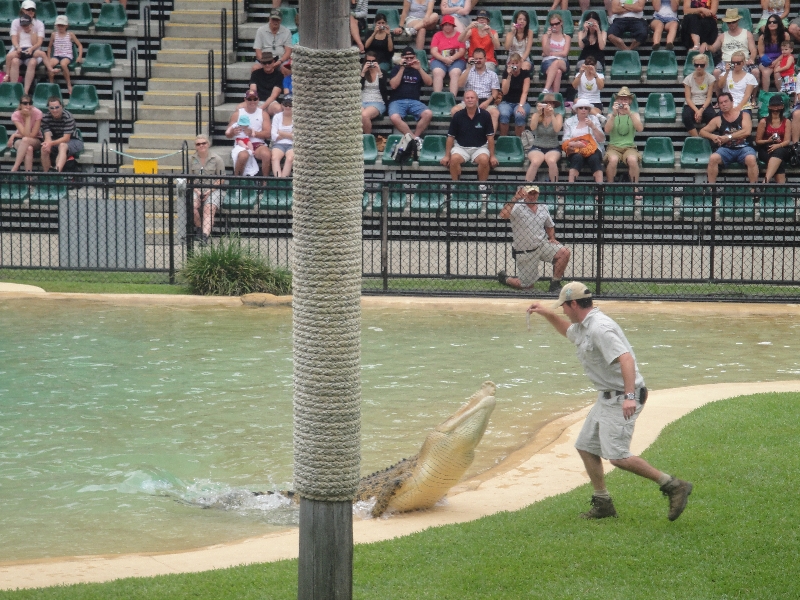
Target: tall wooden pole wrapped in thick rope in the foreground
point(328, 187)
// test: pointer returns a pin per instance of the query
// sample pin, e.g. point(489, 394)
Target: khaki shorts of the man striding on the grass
point(605, 432)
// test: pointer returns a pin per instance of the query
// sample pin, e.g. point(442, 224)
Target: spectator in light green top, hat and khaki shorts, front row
point(621, 127)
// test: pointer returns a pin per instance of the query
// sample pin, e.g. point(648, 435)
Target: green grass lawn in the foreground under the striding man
point(737, 539)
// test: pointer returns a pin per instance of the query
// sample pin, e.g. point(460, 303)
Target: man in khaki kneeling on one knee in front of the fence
point(534, 240)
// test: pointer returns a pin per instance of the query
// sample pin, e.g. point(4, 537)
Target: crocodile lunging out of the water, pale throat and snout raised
point(421, 481)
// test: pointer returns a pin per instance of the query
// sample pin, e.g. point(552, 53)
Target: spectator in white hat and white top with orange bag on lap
point(583, 139)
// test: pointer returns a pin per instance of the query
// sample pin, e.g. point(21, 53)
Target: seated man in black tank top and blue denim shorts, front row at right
point(729, 131)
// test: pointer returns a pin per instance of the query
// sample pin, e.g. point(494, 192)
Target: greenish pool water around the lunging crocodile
point(118, 423)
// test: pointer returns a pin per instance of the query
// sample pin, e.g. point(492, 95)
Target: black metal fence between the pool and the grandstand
point(652, 240)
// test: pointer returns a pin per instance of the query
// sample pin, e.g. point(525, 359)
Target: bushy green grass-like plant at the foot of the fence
point(228, 268)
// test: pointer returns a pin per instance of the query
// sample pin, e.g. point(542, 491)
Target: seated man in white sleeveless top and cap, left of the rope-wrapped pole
point(254, 134)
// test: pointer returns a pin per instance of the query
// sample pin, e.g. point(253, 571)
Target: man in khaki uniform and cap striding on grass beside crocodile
point(610, 364)
